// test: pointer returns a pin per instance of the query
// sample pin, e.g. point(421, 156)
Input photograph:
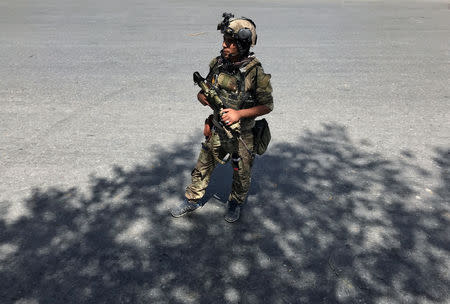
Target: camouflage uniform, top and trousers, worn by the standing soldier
point(240, 86)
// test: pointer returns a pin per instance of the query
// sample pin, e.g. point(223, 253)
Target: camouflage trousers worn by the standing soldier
point(216, 148)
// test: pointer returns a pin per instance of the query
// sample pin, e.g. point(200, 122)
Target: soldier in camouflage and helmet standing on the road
point(239, 79)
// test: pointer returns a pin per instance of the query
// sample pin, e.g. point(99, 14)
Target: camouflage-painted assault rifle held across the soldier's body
point(216, 103)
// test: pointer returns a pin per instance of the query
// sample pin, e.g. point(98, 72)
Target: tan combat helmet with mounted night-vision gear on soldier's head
point(243, 30)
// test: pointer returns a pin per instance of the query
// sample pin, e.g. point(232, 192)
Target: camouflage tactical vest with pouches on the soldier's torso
point(234, 88)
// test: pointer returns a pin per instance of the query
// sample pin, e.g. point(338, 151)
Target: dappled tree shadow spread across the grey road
point(326, 222)
